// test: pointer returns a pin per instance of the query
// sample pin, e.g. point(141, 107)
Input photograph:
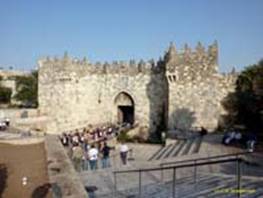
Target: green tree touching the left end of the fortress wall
point(27, 89)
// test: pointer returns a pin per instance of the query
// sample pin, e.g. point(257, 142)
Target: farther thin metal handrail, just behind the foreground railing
point(205, 158)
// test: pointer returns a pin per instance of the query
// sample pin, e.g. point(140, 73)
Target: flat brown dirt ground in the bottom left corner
point(19, 161)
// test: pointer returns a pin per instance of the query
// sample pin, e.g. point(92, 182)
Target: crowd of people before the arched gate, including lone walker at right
point(90, 146)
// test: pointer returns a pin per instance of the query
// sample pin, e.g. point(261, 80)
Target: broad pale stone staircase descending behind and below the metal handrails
point(159, 185)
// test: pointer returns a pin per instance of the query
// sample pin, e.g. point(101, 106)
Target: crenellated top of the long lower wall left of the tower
point(84, 67)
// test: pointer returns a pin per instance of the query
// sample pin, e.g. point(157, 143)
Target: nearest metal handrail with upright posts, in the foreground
point(175, 167)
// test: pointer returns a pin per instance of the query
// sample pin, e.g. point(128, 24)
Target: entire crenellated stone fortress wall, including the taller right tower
point(180, 90)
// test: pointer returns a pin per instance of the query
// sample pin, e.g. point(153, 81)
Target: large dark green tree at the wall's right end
point(245, 105)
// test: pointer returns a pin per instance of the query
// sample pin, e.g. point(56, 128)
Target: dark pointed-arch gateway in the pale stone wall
point(125, 108)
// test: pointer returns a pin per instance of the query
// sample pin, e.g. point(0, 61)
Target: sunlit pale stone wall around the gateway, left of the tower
point(74, 93)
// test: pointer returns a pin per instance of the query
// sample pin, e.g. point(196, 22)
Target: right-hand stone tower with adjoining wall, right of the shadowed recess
point(196, 88)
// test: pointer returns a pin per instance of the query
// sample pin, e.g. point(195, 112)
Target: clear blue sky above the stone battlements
point(106, 30)
